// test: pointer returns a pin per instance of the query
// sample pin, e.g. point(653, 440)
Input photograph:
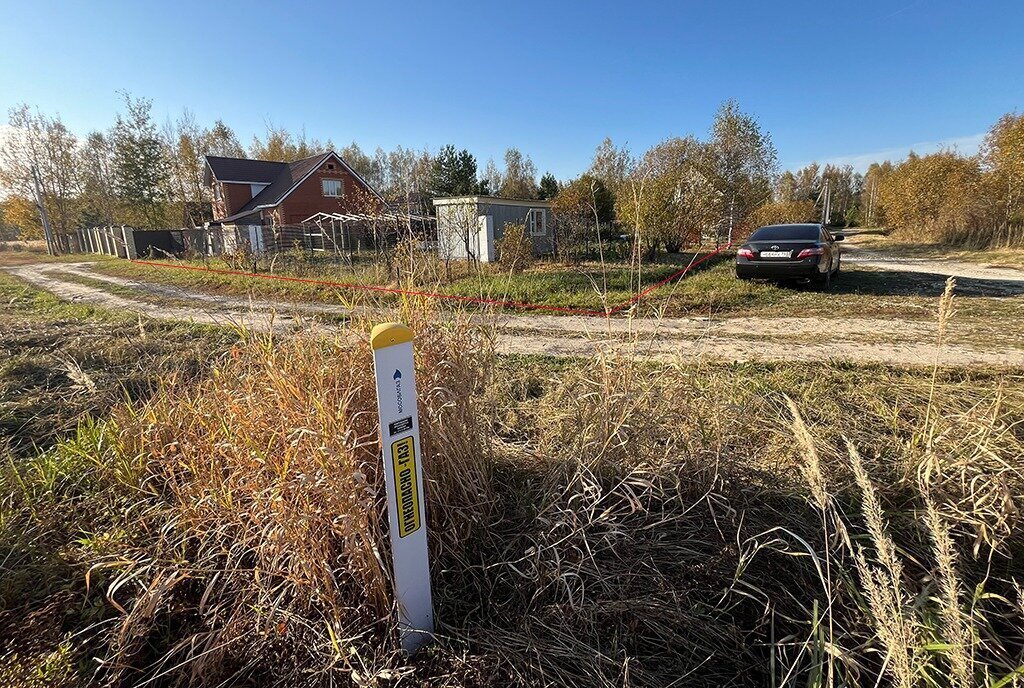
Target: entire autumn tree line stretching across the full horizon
point(682, 192)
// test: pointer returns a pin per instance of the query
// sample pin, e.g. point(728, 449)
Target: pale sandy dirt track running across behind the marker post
point(807, 339)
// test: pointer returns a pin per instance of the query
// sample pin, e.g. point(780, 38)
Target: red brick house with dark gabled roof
point(261, 194)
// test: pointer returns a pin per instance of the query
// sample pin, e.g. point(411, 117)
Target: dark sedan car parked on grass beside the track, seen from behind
point(800, 252)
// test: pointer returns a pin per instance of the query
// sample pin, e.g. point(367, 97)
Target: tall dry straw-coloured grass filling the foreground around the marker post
point(601, 523)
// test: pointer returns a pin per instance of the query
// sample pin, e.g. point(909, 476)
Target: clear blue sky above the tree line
point(831, 81)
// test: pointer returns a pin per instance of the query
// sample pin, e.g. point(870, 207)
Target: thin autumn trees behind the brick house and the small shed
point(146, 176)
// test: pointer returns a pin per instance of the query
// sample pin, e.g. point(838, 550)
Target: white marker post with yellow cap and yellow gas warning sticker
point(400, 423)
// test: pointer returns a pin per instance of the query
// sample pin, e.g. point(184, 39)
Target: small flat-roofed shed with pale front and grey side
point(473, 226)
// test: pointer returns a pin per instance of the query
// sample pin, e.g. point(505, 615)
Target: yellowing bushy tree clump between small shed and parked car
point(682, 192)
